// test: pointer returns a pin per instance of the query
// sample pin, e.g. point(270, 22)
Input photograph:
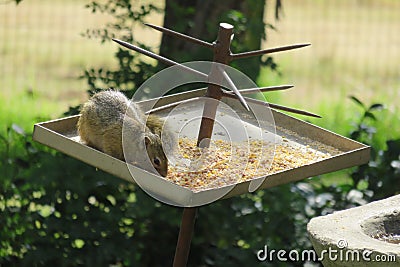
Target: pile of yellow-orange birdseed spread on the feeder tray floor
point(227, 163)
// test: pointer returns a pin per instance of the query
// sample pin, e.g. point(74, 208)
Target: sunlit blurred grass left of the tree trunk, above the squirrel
point(42, 55)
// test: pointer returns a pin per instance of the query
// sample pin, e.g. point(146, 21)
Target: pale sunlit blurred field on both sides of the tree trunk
point(355, 50)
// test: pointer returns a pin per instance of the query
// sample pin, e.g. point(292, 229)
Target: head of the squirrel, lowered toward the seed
point(156, 153)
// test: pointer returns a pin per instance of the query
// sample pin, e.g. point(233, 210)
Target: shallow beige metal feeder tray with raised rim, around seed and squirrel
point(62, 135)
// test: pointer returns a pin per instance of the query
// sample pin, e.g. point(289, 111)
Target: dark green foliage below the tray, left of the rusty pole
point(57, 211)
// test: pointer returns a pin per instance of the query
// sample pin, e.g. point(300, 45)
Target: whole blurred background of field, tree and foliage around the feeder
point(53, 52)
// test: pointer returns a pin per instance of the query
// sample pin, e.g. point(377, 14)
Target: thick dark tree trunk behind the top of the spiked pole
point(201, 18)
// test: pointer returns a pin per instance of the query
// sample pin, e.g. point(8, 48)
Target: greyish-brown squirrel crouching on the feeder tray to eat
point(107, 114)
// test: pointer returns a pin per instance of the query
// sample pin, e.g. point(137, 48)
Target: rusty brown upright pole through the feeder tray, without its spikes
point(221, 55)
